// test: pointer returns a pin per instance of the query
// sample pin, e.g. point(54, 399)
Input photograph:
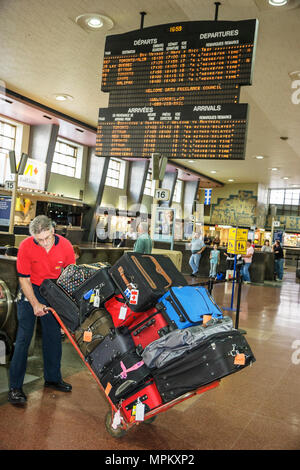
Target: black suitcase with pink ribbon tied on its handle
point(124, 375)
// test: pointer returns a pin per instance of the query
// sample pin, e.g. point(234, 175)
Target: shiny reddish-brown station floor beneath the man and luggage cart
point(257, 408)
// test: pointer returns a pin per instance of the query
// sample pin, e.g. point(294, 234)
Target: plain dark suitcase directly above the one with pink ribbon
point(116, 343)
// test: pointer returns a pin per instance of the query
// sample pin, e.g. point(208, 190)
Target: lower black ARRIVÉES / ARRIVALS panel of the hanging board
point(191, 132)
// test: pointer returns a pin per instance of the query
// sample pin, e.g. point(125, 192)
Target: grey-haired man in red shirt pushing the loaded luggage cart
point(41, 256)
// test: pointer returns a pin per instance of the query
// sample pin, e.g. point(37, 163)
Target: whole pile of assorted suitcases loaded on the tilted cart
point(147, 335)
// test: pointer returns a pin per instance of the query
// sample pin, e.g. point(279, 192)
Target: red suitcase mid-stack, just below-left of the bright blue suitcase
point(148, 327)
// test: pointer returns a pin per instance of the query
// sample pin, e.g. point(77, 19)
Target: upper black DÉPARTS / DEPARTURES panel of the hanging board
point(186, 53)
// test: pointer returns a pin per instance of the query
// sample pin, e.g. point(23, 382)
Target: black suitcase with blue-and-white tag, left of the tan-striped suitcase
point(100, 281)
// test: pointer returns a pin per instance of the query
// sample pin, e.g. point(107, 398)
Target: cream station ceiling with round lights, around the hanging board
point(44, 52)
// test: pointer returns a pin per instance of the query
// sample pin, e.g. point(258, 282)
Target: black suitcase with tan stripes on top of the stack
point(148, 276)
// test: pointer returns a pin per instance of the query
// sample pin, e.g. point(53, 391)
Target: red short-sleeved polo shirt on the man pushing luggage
point(33, 260)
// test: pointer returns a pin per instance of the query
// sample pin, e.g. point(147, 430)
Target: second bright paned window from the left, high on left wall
point(67, 159)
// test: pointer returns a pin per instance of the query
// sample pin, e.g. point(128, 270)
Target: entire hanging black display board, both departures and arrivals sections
point(174, 89)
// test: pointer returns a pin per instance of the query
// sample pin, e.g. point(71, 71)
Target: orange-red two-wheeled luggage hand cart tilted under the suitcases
point(150, 416)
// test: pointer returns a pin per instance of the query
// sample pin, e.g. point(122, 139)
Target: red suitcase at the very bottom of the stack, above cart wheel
point(148, 395)
